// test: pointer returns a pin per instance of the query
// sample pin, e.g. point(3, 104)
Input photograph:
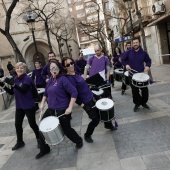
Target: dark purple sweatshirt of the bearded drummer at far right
point(136, 60)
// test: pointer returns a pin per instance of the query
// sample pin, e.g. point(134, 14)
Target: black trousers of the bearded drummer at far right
point(140, 95)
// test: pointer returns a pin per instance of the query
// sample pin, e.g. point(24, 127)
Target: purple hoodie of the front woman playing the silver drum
point(59, 92)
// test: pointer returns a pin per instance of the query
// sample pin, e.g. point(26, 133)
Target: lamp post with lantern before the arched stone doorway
point(30, 19)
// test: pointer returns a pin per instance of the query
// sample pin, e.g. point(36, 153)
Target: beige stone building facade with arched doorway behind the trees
point(23, 36)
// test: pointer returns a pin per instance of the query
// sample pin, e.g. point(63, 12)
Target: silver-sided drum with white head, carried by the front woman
point(51, 130)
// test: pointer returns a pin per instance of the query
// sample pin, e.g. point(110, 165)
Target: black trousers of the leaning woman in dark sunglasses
point(93, 115)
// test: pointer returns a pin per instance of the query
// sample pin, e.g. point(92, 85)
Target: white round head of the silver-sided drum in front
point(48, 124)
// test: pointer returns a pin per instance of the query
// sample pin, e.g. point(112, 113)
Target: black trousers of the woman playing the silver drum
point(66, 127)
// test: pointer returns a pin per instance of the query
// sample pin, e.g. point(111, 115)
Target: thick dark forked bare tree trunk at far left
point(6, 30)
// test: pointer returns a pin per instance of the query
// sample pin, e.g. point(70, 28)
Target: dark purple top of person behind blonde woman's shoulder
point(37, 77)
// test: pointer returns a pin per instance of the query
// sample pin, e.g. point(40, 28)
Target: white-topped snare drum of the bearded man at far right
point(140, 80)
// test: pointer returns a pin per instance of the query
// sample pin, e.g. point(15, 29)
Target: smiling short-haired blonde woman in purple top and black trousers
point(21, 87)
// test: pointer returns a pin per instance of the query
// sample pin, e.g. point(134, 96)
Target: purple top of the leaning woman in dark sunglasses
point(84, 93)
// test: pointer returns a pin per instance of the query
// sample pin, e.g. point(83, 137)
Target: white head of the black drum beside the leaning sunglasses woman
point(104, 104)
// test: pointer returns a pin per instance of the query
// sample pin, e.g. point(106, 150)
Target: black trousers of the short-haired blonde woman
point(19, 117)
